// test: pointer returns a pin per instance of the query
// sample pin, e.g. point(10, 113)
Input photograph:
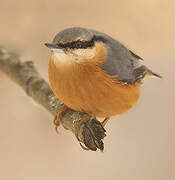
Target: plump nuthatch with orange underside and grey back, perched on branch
point(89, 71)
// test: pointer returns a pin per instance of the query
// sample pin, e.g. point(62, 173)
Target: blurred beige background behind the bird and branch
point(140, 145)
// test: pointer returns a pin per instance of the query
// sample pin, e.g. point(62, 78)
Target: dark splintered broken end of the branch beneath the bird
point(91, 133)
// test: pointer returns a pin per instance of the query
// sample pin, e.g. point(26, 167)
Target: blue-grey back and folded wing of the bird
point(121, 61)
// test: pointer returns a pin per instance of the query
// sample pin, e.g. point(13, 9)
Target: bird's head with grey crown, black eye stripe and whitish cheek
point(74, 44)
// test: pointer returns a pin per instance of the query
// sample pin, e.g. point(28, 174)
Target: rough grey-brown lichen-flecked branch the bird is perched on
point(87, 130)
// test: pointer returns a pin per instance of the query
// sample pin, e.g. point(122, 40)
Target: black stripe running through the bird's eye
point(81, 44)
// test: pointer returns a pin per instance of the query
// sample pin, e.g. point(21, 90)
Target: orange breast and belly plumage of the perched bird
point(85, 87)
